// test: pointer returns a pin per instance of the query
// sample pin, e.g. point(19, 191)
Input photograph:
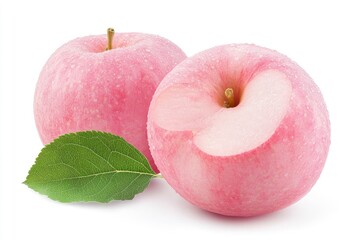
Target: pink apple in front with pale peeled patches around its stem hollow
point(239, 130)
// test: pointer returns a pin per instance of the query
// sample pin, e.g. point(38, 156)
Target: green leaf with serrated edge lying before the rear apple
point(90, 166)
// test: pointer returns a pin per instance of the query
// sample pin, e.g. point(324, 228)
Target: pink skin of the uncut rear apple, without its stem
point(83, 87)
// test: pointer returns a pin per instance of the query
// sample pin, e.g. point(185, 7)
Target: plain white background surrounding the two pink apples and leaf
point(322, 36)
